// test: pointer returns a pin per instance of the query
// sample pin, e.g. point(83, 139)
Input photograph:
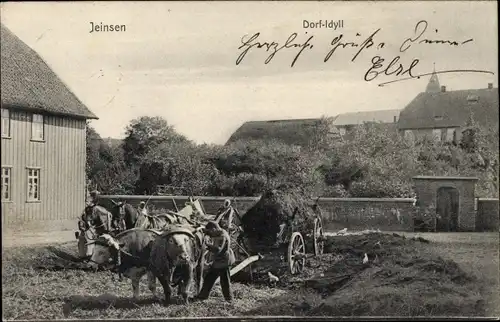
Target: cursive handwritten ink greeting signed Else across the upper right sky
point(378, 65)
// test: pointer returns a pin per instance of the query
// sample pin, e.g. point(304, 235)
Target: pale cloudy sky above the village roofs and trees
point(178, 59)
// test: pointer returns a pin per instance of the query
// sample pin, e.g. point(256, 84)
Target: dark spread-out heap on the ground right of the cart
point(402, 277)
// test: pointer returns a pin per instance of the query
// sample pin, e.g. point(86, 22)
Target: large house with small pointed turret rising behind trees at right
point(443, 114)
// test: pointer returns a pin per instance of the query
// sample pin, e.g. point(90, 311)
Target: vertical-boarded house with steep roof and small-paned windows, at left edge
point(43, 142)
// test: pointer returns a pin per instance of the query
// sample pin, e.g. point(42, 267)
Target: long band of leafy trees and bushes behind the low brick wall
point(375, 161)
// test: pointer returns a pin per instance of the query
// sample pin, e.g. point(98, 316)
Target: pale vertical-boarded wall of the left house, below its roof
point(61, 160)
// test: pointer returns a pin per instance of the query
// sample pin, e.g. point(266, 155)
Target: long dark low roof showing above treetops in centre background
point(295, 131)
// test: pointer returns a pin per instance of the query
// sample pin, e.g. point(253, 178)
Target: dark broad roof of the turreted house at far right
point(451, 109)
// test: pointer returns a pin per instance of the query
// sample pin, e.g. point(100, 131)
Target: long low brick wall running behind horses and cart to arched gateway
point(339, 213)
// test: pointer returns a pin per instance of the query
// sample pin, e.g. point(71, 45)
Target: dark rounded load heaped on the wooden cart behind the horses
point(261, 223)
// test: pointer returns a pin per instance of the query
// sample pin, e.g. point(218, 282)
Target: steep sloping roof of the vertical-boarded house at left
point(28, 82)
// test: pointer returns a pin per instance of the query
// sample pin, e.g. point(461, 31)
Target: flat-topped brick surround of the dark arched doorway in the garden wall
point(427, 193)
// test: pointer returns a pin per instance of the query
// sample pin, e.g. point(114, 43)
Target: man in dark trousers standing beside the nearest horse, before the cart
point(223, 259)
